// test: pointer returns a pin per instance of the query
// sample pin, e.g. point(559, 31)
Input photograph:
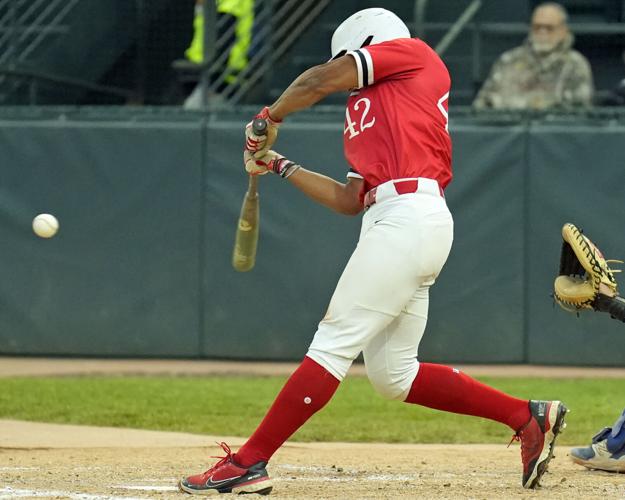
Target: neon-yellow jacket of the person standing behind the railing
point(243, 13)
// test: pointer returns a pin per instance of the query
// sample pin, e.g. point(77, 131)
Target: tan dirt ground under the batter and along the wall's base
point(89, 463)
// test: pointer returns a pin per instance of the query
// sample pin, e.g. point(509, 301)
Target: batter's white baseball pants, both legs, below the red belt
point(380, 304)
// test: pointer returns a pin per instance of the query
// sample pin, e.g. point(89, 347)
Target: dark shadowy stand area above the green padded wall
point(131, 45)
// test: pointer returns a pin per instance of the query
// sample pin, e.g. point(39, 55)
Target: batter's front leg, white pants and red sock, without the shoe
point(379, 279)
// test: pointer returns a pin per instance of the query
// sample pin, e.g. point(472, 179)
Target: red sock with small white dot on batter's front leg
point(308, 390)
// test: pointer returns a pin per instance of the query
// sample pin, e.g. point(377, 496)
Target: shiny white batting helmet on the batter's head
point(367, 27)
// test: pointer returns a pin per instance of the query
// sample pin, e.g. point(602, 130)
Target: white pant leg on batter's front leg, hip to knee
point(405, 243)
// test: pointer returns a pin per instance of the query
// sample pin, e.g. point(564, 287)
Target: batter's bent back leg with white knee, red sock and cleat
point(392, 365)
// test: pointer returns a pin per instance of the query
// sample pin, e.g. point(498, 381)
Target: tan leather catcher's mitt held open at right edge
point(586, 281)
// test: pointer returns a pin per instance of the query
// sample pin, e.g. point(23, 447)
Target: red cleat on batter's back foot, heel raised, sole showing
point(538, 437)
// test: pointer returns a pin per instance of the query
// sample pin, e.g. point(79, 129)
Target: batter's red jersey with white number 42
point(396, 120)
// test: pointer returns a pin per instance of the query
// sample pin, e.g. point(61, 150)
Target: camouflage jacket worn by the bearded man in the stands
point(522, 79)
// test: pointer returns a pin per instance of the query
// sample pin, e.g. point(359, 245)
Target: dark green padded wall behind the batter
point(148, 203)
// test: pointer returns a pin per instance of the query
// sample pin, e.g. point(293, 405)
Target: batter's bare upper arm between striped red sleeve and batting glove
point(314, 84)
